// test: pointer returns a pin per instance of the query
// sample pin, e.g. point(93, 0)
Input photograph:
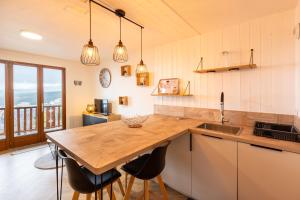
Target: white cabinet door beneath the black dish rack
point(265, 174)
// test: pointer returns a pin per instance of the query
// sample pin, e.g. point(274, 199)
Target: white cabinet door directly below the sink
point(214, 168)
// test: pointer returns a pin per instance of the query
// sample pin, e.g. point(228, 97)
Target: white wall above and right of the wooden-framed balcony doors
point(76, 97)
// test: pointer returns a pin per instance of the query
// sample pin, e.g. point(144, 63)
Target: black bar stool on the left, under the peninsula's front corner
point(84, 181)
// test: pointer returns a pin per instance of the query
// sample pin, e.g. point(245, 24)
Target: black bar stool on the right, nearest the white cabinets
point(146, 167)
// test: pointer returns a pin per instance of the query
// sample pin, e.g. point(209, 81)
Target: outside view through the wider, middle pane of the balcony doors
point(25, 100)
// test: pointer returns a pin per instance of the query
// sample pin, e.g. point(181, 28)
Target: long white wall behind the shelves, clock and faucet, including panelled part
point(269, 88)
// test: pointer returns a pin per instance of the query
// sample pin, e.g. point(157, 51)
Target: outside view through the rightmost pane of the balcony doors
point(52, 99)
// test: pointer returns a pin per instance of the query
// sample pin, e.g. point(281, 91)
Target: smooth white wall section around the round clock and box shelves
point(139, 99)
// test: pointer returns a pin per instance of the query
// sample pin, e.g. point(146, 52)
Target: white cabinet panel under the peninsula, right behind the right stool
point(177, 172)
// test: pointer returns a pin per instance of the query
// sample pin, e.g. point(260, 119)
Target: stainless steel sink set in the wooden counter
point(221, 128)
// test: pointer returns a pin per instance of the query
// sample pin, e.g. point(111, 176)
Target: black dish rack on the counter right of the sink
point(277, 131)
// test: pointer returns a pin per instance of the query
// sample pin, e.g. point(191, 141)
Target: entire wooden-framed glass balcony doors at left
point(32, 102)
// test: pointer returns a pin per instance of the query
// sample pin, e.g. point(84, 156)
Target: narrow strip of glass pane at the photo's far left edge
point(2, 100)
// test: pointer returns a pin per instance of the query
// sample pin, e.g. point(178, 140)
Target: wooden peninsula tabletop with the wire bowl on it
point(104, 146)
